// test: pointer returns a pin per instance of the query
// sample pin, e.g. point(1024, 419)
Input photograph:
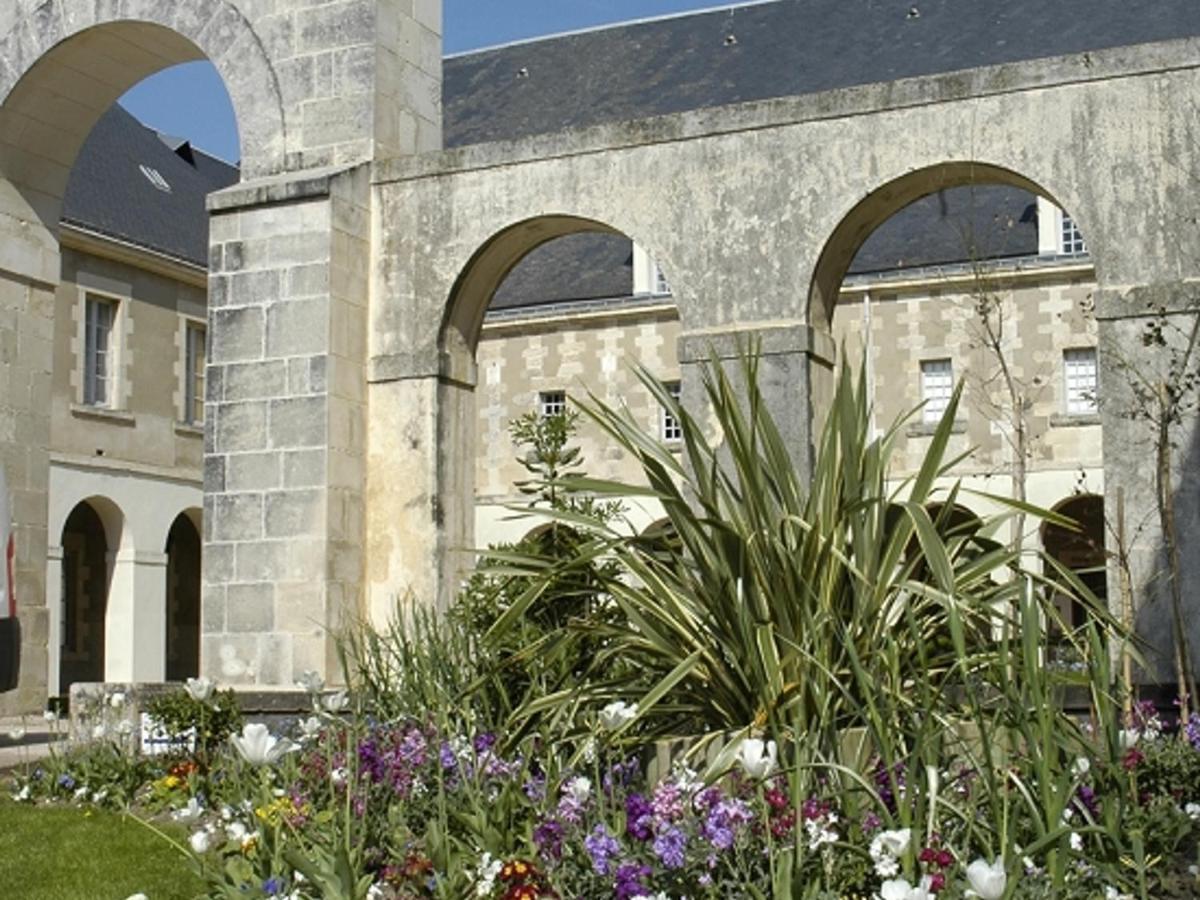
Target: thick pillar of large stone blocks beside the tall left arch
point(286, 424)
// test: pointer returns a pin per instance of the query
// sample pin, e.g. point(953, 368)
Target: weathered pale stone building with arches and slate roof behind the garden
point(386, 196)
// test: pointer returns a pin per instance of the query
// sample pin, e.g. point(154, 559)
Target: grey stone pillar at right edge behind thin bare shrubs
point(1130, 453)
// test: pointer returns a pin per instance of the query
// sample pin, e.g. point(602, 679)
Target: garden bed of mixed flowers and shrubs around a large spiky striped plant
point(859, 680)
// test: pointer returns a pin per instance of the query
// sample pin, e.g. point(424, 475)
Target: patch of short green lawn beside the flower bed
point(65, 854)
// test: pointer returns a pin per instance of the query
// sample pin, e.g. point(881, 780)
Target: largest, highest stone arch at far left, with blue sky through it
point(69, 64)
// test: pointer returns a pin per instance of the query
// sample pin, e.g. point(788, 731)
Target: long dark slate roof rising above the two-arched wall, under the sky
point(773, 50)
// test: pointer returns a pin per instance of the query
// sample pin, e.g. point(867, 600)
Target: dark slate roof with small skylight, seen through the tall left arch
point(111, 194)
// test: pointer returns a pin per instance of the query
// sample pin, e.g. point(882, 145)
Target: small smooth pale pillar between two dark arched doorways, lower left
point(136, 619)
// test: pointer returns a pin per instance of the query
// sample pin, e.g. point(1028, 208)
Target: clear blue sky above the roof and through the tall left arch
point(191, 103)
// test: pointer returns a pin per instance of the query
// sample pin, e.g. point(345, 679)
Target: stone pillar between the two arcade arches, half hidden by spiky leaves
point(794, 376)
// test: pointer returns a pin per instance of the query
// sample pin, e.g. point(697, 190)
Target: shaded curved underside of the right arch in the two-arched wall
point(857, 225)
